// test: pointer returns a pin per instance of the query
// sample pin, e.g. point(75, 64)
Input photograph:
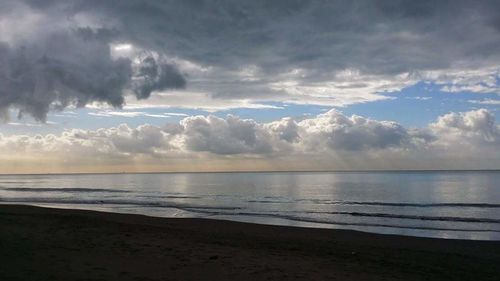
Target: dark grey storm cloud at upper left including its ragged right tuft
point(60, 66)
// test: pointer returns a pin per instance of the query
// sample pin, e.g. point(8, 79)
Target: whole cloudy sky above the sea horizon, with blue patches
point(162, 86)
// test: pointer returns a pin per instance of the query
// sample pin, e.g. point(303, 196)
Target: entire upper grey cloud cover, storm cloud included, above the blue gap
point(56, 53)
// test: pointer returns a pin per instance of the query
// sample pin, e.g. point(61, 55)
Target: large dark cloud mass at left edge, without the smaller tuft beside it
point(60, 70)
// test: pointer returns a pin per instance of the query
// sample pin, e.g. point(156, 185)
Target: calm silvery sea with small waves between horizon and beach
point(461, 204)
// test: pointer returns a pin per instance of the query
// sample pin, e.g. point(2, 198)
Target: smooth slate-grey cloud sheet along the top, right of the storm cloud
point(373, 36)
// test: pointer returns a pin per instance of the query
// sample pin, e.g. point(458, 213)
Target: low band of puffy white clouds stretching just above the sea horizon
point(332, 135)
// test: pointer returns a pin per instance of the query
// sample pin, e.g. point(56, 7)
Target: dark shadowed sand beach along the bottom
point(54, 244)
